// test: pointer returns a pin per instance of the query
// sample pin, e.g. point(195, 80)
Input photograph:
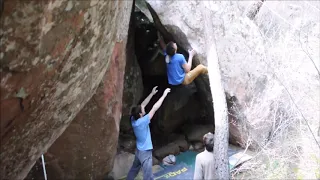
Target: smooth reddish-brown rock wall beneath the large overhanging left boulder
point(90, 142)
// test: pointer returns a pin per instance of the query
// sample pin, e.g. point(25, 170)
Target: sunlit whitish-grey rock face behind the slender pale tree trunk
point(268, 59)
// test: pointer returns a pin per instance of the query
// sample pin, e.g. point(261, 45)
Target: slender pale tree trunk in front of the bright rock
point(221, 160)
